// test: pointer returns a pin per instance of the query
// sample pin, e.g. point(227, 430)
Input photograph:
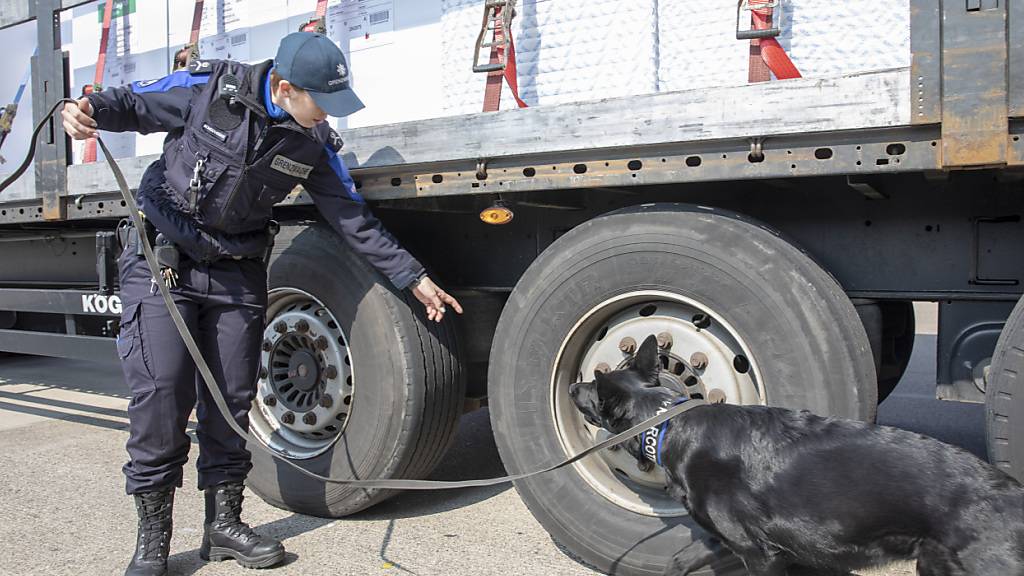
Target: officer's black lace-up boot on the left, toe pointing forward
point(154, 533)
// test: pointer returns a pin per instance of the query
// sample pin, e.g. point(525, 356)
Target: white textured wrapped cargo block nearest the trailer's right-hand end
point(699, 49)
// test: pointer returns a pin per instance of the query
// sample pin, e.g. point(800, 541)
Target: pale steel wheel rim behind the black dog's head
point(595, 340)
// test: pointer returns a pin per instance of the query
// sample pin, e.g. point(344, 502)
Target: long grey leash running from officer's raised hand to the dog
point(219, 398)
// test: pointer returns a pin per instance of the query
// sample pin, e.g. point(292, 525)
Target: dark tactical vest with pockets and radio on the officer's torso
point(232, 163)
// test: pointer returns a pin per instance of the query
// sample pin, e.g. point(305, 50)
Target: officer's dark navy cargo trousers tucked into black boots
point(224, 304)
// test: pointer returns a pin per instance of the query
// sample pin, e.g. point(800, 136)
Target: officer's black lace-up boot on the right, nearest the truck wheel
point(226, 537)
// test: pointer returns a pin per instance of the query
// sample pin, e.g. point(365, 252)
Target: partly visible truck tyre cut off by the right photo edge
point(1005, 398)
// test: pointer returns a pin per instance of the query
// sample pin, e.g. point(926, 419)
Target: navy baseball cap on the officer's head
point(315, 64)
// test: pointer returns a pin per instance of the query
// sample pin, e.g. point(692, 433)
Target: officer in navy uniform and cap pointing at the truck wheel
point(240, 139)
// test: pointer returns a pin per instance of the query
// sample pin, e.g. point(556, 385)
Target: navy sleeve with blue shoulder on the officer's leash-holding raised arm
point(154, 106)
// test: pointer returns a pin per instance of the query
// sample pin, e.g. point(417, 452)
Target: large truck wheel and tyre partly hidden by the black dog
point(746, 317)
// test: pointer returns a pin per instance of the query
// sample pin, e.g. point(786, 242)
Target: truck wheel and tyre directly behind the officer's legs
point(355, 383)
